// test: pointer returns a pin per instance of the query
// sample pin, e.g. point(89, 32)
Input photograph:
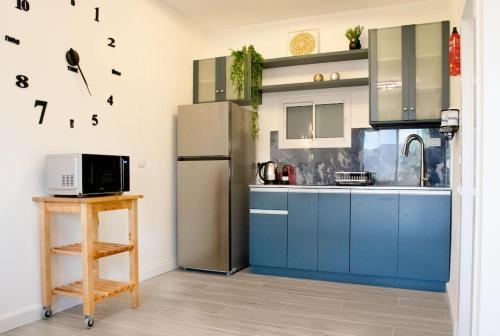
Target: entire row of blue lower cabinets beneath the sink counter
point(393, 239)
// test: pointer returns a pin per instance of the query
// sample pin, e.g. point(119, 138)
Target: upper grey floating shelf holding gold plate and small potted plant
point(336, 56)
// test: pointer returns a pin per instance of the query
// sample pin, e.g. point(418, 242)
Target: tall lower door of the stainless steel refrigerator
point(203, 214)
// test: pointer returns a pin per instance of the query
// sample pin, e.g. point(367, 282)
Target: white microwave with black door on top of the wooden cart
point(87, 174)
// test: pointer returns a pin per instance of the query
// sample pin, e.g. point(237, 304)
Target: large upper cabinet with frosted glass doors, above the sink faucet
point(409, 81)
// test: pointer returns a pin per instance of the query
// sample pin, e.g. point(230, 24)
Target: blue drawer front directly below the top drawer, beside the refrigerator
point(268, 238)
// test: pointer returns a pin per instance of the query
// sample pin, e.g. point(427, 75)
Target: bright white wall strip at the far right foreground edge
point(487, 236)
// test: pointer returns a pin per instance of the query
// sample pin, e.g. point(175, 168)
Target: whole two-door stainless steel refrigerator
point(215, 165)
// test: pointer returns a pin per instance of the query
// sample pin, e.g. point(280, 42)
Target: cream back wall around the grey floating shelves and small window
point(271, 39)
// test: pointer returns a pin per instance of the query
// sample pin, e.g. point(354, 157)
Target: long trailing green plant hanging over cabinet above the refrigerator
point(239, 76)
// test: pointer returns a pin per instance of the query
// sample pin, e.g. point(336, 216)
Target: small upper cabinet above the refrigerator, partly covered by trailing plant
point(212, 81)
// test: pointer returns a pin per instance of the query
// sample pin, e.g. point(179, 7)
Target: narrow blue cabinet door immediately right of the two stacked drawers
point(303, 229)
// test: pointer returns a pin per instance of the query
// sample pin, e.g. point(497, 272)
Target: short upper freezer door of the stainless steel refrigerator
point(203, 130)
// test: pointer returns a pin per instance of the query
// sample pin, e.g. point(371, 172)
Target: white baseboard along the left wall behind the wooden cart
point(33, 313)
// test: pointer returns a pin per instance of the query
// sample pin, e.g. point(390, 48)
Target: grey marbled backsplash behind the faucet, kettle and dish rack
point(377, 151)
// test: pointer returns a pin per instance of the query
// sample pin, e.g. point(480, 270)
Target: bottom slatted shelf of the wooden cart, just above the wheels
point(103, 289)
